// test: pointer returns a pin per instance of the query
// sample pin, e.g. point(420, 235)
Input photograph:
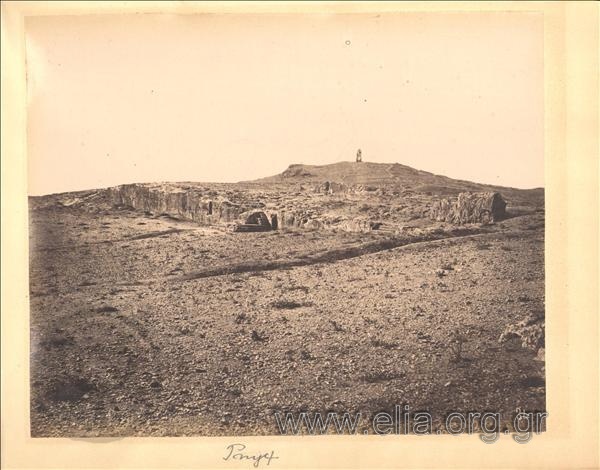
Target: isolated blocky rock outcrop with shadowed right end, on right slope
point(485, 208)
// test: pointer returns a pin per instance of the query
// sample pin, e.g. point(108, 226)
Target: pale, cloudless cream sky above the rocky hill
point(224, 98)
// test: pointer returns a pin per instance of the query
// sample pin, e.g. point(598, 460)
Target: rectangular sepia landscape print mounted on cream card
point(286, 224)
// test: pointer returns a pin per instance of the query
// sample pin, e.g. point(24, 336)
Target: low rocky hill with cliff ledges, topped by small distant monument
point(345, 196)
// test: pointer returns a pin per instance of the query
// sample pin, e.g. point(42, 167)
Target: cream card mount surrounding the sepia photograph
point(571, 192)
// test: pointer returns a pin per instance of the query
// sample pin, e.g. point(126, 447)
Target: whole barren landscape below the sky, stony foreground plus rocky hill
point(150, 318)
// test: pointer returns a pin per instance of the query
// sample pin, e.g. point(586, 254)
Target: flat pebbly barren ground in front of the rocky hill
point(125, 341)
